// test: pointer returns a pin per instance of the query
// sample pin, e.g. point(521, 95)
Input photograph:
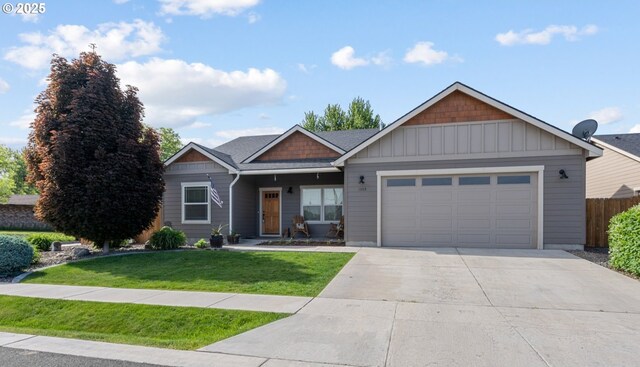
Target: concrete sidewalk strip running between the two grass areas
point(230, 301)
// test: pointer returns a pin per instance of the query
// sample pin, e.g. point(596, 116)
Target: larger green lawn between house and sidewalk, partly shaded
point(279, 273)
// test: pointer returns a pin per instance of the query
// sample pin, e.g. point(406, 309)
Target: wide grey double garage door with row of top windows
point(493, 210)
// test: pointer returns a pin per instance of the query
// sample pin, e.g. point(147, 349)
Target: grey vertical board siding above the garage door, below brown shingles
point(486, 139)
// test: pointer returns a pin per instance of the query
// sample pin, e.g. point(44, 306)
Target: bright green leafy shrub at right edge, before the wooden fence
point(624, 240)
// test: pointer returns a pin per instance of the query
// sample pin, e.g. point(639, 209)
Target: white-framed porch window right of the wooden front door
point(322, 204)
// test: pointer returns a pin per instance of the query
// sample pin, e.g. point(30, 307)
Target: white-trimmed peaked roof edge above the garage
point(457, 86)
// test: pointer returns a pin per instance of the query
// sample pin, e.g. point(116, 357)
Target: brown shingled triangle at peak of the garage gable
point(458, 107)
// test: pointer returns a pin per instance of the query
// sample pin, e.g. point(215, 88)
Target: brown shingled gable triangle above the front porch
point(297, 146)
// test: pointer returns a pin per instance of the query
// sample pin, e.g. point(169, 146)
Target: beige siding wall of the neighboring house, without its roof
point(612, 176)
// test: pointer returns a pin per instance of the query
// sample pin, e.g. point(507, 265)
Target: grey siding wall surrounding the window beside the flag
point(178, 173)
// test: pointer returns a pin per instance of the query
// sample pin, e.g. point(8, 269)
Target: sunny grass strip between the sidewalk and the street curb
point(159, 326)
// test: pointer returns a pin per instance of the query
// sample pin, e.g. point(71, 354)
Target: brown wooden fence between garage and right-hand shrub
point(599, 212)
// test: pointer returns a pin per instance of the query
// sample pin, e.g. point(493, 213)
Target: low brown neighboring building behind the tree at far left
point(17, 213)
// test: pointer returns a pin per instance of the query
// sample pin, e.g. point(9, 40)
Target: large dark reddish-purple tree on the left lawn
point(96, 166)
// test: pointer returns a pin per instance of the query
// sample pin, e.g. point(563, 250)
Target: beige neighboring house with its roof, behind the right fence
point(617, 173)
